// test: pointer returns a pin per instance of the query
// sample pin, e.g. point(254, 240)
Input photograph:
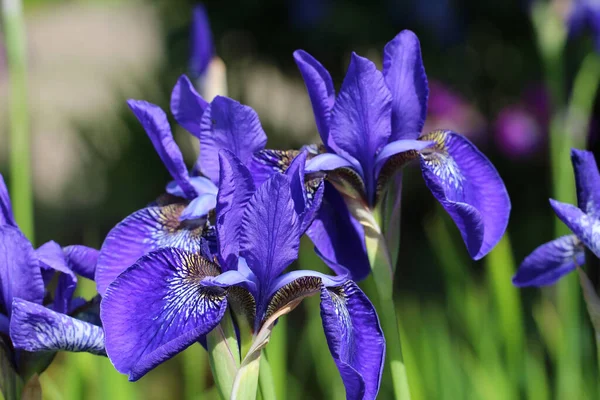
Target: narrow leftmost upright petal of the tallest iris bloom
point(320, 90)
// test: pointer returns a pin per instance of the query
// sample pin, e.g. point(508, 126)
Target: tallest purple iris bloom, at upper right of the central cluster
point(372, 128)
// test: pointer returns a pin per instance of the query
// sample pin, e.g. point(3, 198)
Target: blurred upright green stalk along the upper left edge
point(20, 157)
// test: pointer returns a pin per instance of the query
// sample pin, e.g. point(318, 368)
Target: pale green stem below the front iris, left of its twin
point(224, 355)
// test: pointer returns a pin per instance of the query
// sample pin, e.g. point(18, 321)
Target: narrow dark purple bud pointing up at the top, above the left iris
point(202, 48)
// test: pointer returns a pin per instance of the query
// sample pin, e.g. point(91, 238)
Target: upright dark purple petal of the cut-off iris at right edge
point(587, 179)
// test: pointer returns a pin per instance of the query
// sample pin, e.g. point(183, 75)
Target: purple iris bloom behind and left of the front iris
point(181, 218)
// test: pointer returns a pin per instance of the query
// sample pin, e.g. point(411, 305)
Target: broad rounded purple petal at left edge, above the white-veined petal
point(20, 274)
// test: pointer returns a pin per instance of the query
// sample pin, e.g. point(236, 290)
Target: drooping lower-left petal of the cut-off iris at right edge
point(550, 262)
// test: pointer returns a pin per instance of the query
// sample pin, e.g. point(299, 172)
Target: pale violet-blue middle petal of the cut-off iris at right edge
point(584, 226)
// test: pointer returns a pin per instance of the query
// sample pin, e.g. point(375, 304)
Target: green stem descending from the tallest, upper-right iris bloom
point(382, 268)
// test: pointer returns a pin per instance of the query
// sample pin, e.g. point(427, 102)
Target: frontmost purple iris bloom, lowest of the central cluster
point(171, 297)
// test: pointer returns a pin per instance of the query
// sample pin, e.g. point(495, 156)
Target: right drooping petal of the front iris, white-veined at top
point(355, 339)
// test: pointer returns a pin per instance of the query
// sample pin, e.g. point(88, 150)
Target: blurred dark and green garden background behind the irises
point(467, 332)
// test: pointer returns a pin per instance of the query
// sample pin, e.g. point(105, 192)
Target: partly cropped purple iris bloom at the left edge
point(34, 321)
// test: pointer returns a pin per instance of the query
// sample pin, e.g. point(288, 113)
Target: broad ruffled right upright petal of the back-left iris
point(229, 125)
